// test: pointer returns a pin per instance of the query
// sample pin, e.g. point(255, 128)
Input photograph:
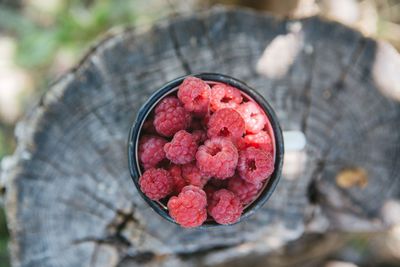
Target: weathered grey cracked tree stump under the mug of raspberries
point(71, 202)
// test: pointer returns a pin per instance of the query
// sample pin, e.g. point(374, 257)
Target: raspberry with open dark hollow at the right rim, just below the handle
point(255, 165)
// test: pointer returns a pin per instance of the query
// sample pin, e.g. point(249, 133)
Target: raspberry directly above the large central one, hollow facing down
point(226, 122)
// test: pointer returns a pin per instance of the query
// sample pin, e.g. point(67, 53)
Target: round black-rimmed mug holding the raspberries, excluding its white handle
point(171, 87)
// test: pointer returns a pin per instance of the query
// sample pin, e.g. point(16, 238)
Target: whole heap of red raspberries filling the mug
point(205, 152)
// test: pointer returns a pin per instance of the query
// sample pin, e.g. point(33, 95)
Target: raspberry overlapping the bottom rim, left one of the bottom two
point(189, 208)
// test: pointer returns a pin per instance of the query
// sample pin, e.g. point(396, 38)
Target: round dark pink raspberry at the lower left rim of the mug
point(156, 183)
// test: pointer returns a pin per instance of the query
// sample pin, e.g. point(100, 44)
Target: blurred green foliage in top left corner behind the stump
point(73, 25)
